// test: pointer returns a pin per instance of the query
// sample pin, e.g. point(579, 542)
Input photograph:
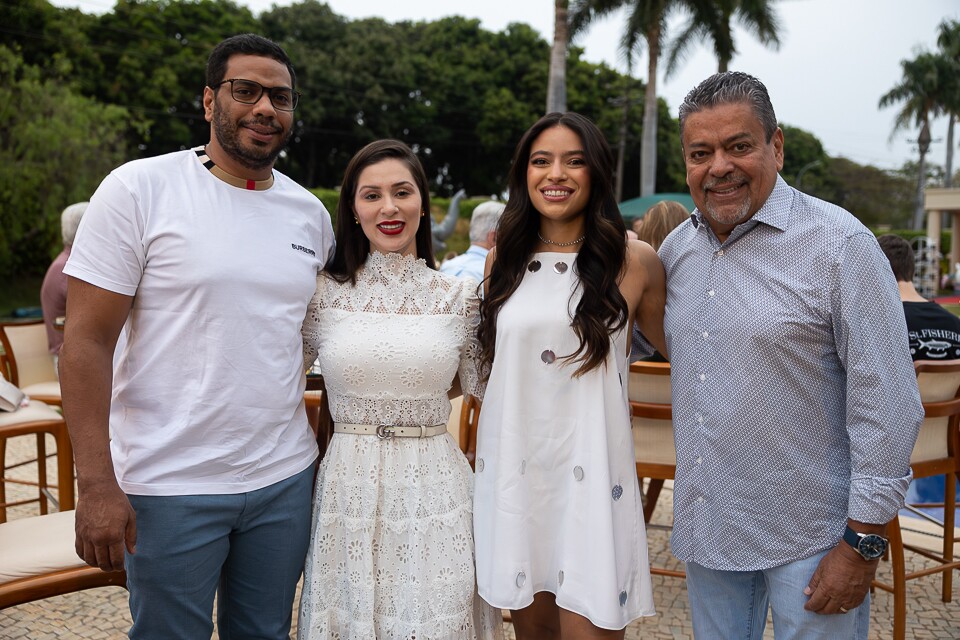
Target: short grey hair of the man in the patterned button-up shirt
point(731, 87)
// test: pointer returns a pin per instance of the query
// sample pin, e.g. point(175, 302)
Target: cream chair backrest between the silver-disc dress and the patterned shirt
point(652, 409)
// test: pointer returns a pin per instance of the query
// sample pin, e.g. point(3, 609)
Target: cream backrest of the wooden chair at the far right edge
point(939, 383)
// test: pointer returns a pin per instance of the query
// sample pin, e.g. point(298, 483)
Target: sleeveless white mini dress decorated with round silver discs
point(557, 505)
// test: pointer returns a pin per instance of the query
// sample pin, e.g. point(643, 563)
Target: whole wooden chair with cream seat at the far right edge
point(937, 452)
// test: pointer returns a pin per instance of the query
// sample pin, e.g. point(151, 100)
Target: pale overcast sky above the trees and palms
point(837, 58)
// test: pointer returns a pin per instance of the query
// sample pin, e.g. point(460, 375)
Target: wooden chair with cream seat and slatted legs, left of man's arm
point(37, 419)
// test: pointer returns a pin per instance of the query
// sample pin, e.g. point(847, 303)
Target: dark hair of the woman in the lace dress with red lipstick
point(353, 247)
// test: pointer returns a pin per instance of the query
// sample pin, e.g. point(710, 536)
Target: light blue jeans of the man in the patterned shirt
point(732, 605)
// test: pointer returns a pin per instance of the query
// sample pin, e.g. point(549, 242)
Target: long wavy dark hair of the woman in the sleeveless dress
point(602, 308)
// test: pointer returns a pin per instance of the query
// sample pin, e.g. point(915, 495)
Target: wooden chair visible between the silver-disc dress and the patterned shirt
point(652, 408)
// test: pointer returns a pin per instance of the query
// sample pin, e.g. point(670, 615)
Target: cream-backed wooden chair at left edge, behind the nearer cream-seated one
point(28, 360)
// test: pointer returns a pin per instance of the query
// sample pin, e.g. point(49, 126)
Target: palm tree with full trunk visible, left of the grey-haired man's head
point(646, 23)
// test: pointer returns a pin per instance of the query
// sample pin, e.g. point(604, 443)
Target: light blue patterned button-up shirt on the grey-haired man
point(795, 404)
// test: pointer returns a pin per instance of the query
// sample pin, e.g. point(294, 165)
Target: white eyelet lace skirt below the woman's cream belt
point(391, 554)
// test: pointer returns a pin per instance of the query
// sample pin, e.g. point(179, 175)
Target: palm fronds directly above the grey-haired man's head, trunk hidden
point(756, 16)
